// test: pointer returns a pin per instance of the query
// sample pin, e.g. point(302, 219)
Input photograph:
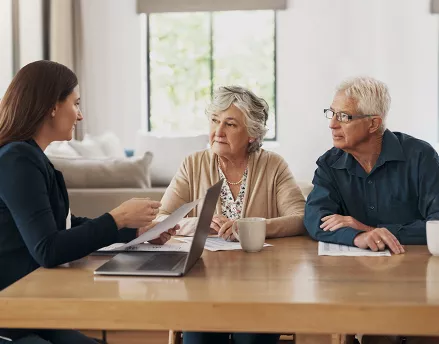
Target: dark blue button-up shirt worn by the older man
point(400, 193)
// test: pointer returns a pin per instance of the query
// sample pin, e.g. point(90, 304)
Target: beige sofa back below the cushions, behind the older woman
point(95, 202)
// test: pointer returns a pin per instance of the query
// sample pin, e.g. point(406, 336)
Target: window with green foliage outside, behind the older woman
point(191, 54)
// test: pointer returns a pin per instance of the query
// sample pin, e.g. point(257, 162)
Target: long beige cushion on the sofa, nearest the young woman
point(82, 172)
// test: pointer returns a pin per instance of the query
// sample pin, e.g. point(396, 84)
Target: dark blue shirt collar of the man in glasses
point(391, 151)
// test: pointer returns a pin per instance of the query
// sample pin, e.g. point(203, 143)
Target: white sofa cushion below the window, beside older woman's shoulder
point(169, 152)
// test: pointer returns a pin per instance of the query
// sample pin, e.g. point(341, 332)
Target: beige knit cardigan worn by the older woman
point(271, 192)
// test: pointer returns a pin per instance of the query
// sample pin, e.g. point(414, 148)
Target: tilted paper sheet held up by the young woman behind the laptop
point(163, 226)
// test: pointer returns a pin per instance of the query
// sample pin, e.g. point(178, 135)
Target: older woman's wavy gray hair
point(255, 111)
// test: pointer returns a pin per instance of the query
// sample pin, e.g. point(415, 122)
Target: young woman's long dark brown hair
point(31, 96)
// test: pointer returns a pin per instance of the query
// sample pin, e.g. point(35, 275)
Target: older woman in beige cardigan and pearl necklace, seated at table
point(257, 183)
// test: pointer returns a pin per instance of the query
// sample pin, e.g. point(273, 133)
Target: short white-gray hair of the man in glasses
point(372, 96)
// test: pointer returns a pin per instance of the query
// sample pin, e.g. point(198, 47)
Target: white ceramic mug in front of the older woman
point(250, 232)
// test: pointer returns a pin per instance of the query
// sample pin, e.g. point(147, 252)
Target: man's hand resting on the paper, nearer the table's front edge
point(377, 240)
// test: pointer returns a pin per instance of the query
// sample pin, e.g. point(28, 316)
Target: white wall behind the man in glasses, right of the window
point(322, 42)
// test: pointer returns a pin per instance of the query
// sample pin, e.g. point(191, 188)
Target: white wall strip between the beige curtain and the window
point(112, 60)
